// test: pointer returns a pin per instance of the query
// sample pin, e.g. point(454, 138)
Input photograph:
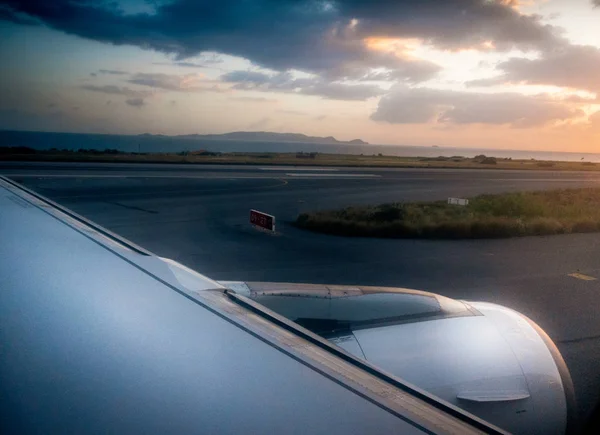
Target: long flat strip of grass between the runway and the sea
point(291, 159)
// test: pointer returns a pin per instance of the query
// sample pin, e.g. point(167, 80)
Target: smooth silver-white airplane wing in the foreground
point(99, 335)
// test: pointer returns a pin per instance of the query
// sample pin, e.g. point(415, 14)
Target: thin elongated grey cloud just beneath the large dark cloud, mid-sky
point(285, 82)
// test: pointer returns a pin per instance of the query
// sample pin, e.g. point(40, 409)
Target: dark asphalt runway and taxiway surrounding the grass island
point(198, 215)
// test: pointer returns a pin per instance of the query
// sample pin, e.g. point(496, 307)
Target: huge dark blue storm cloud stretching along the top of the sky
point(310, 35)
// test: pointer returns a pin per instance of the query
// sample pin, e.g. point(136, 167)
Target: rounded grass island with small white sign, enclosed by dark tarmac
point(486, 216)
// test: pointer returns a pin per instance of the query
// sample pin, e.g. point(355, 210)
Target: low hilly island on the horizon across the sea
point(265, 136)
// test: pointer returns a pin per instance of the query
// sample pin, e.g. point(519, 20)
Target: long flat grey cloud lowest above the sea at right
point(421, 105)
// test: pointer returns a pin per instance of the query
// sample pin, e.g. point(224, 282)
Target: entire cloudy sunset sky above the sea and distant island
point(512, 74)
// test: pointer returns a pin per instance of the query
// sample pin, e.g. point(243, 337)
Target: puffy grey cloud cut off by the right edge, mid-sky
point(573, 66)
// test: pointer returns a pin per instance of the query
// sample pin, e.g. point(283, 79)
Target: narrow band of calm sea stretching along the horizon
point(156, 144)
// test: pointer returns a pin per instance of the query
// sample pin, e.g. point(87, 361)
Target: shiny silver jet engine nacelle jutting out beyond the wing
point(484, 358)
